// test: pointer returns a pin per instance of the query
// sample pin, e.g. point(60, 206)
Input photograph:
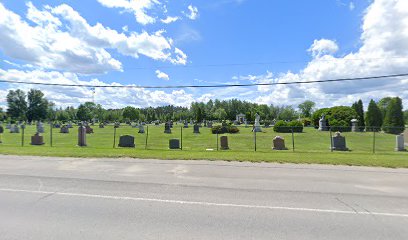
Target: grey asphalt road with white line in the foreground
point(57, 198)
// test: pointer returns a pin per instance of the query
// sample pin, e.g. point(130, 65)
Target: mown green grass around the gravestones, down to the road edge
point(311, 146)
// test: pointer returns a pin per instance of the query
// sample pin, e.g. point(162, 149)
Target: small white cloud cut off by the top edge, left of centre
point(137, 7)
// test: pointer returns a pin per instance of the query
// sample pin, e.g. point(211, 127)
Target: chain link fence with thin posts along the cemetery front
point(155, 138)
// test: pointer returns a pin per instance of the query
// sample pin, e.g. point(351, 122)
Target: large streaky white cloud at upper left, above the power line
point(62, 39)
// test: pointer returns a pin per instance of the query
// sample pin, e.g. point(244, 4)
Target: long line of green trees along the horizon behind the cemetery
point(33, 106)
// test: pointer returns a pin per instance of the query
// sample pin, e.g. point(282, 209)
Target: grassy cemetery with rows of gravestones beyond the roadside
point(164, 141)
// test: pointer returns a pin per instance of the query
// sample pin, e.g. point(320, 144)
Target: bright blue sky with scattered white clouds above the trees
point(204, 42)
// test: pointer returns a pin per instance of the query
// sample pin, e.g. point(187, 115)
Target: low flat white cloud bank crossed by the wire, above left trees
point(107, 97)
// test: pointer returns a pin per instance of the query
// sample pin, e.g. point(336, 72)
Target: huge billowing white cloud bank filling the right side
point(383, 51)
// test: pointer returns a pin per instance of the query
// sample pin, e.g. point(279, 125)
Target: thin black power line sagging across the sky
point(206, 86)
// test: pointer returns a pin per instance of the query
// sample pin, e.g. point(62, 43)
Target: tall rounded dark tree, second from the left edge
point(37, 105)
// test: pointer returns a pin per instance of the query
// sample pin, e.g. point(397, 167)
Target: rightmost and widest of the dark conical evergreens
point(394, 117)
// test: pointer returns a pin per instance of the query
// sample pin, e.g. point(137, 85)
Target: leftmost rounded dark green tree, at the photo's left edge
point(17, 105)
